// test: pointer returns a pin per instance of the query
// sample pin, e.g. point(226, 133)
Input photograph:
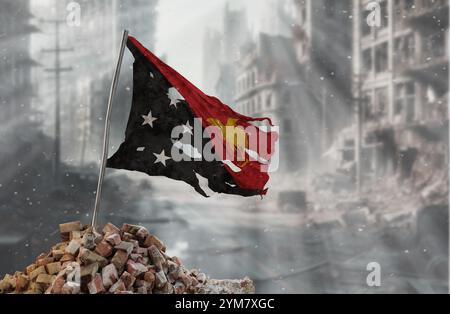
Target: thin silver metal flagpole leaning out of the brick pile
point(107, 124)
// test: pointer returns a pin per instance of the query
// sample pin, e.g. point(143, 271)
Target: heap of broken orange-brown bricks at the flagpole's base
point(119, 261)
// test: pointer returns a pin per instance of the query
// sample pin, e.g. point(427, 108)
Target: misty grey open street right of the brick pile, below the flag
point(279, 251)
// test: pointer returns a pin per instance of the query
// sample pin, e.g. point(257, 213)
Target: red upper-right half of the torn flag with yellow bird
point(213, 112)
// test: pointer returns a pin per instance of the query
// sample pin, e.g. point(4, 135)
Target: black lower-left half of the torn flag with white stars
point(157, 108)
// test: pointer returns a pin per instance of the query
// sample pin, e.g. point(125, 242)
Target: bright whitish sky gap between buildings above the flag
point(181, 26)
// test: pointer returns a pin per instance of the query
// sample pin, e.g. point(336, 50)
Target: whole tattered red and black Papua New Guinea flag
point(177, 131)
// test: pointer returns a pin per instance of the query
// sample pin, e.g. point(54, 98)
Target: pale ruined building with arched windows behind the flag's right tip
point(267, 86)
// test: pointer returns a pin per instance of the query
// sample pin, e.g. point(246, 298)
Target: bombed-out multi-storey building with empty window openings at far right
point(401, 85)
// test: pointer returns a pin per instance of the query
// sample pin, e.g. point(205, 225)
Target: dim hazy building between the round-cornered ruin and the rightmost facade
point(323, 43)
